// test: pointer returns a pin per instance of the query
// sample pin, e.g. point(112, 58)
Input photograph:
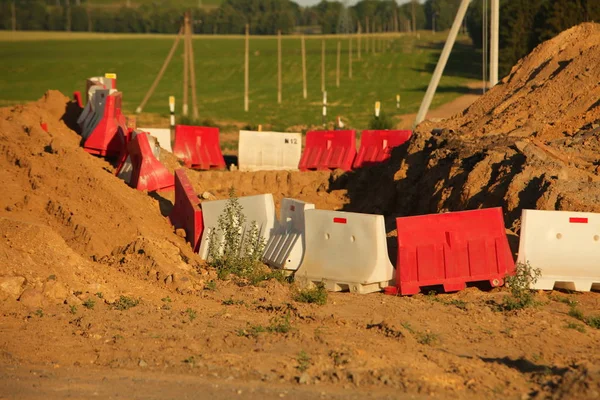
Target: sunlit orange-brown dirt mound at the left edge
point(54, 192)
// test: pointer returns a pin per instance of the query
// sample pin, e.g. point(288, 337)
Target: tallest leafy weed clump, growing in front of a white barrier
point(231, 250)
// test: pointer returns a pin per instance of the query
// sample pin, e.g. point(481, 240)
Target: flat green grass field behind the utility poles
point(30, 66)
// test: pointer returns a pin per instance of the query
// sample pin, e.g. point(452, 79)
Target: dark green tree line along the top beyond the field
point(523, 23)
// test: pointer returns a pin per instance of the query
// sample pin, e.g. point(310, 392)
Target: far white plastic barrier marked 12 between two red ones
point(263, 151)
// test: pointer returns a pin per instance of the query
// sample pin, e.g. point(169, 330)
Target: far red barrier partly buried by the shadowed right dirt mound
point(376, 146)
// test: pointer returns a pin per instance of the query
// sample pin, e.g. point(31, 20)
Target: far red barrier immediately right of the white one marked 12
point(328, 150)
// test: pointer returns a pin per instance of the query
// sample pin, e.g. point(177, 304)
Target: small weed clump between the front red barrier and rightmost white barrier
point(519, 283)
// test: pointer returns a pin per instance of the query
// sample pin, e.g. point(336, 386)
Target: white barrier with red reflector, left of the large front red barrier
point(345, 251)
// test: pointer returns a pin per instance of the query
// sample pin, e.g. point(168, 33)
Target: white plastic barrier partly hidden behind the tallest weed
point(259, 209)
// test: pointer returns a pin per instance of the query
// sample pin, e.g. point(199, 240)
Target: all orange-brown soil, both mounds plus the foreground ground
point(79, 248)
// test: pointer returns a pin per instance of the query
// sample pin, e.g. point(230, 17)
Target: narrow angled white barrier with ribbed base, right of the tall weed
point(285, 249)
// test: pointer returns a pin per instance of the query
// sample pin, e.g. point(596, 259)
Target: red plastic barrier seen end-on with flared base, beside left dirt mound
point(148, 173)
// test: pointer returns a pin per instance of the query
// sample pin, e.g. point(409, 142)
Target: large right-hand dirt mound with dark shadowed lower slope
point(530, 142)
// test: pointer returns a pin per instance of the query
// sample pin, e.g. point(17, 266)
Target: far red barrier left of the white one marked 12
point(198, 147)
